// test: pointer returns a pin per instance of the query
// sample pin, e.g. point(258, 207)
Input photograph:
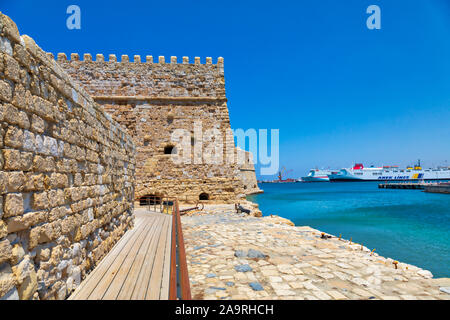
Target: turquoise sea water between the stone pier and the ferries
point(406, 225)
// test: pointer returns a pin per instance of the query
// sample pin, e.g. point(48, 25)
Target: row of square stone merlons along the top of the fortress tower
point(87, 57)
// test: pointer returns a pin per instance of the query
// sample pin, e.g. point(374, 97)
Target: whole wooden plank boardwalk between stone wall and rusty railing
point(138, 266)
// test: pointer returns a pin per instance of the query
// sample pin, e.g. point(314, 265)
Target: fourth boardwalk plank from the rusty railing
point(130, 283)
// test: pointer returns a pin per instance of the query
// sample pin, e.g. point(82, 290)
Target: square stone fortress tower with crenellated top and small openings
point(152, 100)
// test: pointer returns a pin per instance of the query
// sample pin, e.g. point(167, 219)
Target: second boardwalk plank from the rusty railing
point(154, 286)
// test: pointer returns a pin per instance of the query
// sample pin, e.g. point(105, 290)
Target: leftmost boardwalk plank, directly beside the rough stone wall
point(83, 291)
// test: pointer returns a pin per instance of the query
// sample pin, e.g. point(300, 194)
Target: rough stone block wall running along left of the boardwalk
point(66, 174)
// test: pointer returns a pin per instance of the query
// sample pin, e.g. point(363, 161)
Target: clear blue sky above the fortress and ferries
point(338, 92)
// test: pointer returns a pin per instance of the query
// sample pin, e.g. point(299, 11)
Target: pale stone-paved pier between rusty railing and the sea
point(234, 256)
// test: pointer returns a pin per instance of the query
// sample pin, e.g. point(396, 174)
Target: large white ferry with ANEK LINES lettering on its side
point(390, 173)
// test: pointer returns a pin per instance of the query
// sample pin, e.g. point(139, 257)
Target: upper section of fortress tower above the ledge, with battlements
point(136, 76)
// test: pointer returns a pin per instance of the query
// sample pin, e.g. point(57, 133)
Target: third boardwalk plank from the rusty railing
point(140, 290)
